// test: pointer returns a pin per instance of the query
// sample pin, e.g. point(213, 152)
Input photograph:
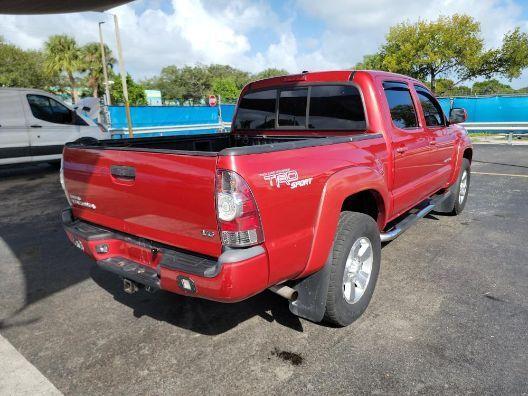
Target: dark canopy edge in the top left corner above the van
point(56, 6)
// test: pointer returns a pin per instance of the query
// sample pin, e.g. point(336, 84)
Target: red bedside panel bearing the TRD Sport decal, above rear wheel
point(291, 217)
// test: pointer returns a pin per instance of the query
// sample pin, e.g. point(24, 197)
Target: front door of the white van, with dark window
point(51, 125)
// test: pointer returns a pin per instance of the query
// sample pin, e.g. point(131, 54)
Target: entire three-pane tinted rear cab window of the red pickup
point(324, 107)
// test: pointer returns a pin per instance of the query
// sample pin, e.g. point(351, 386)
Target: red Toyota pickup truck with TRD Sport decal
point(318, 171)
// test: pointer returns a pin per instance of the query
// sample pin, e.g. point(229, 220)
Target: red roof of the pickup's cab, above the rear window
point(324, 76)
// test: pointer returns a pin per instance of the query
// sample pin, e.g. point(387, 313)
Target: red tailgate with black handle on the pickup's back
point(164, 197)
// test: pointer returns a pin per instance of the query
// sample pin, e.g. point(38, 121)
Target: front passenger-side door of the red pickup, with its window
point(442, 136)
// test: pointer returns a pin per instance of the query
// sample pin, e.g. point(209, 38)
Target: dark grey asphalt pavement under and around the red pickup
point(449, 314)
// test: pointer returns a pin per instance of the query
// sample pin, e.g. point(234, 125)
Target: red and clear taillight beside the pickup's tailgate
point(237, 211)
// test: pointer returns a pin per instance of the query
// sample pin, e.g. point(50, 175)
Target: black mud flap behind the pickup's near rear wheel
point(311, 301)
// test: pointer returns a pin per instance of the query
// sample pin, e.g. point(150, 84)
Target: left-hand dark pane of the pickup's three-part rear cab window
point(256, 110)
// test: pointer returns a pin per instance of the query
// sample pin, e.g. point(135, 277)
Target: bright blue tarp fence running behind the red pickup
point(487, 109)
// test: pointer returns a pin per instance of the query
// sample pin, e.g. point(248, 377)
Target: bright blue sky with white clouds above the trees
point(294, 35)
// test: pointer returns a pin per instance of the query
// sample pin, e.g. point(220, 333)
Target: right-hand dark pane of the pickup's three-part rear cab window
point(334, 107)
